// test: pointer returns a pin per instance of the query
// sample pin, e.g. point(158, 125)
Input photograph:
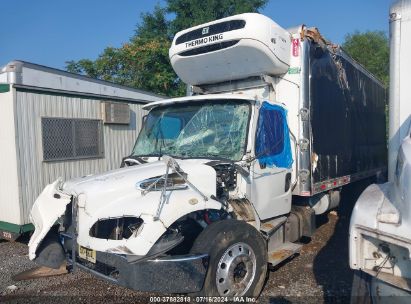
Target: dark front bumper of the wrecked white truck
point(171, 274)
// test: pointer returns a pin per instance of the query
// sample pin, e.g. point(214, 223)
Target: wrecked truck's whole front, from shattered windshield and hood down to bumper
point(136, 226)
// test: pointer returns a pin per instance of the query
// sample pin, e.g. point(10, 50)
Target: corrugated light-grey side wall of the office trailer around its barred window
point(35, 171)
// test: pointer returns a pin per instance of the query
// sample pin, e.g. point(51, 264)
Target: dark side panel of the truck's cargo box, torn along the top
point(348, 126)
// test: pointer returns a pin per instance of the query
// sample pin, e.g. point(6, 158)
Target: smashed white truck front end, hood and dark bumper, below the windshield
point(128, 242)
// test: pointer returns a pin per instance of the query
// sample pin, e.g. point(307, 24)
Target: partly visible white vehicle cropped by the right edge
point(380, 228)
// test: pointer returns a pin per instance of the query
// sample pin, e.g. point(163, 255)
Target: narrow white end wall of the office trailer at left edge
point(9, 184)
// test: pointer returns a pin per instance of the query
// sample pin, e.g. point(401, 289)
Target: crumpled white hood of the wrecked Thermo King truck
point(114, 194)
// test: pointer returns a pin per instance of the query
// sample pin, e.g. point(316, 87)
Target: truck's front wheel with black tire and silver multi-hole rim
point(238, 259)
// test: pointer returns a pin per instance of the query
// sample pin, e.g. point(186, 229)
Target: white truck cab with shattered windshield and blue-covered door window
point(250, 134)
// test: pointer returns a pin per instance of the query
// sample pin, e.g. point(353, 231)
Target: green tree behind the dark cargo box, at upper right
point(371, 49)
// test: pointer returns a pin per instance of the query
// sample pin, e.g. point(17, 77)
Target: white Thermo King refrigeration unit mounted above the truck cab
point(232, 48)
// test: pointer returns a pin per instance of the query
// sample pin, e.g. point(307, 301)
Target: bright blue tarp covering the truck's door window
point(273, 147)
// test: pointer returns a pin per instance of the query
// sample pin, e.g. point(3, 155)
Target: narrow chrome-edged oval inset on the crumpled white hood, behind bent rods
point(174, 182)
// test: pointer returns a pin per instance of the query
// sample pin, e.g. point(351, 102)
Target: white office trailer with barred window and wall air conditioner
point(57, 124)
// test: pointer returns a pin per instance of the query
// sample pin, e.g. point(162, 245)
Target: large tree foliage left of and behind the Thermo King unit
point(143, 61)
